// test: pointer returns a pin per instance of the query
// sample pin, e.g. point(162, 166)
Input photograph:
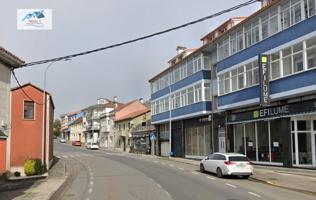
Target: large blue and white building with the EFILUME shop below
point(266, 67)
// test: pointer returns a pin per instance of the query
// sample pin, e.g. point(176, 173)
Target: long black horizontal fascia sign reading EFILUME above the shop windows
point(275, 111)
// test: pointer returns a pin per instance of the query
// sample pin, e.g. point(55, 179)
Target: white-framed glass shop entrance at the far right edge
point(304, 141)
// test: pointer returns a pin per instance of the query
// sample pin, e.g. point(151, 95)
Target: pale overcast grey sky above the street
point(80, 25)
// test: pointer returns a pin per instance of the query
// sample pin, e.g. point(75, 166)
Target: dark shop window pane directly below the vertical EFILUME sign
point(263, 141)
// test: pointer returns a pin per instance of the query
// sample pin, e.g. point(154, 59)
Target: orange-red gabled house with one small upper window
point(26, 126)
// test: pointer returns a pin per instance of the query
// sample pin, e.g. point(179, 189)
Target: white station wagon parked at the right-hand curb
point(223, 164)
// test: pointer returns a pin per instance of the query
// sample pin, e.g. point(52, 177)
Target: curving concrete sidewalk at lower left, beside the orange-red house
point(42, 189)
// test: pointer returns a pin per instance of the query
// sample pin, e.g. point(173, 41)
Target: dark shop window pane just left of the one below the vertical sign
point(250, 141)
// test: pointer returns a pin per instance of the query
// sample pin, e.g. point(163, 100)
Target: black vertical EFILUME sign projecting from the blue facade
point(264, 80)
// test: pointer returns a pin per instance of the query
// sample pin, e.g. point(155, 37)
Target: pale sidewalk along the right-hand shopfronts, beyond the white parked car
point(302, 180)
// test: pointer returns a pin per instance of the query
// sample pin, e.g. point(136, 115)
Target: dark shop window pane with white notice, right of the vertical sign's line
point(276, 145)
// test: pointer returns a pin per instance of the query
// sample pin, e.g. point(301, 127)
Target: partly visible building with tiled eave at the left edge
point(8, 61)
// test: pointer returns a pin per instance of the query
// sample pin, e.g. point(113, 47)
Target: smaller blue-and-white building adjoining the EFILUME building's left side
point(182, 94)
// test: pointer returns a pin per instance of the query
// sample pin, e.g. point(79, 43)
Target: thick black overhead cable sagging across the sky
point(143, 37)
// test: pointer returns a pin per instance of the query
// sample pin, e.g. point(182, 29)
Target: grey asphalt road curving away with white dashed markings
point(115, 176)
